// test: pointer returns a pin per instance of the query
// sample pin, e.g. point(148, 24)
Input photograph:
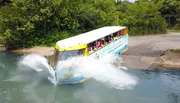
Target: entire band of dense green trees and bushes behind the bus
point(26, 23)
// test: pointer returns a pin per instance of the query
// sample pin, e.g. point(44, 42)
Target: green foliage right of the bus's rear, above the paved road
point(142, 17)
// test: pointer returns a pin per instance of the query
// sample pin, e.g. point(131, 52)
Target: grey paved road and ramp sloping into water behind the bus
point(143, 50)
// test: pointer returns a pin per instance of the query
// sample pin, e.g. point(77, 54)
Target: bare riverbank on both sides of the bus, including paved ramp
point(145, 52)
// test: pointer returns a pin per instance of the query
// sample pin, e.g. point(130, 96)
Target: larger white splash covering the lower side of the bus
point(102, 70)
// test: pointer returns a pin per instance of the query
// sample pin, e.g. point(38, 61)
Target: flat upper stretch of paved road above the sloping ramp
point(153, 45)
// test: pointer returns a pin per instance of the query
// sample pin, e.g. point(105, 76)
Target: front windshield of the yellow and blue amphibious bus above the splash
point(63, 55)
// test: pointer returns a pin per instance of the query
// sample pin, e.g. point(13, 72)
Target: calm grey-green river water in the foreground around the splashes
point(154, 86)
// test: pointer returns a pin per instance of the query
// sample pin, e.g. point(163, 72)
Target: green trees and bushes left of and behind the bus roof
point(26, 23)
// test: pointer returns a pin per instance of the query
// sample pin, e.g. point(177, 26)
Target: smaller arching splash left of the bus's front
point(32, 68)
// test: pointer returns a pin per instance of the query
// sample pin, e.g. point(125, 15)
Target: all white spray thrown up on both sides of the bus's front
point(106, 70)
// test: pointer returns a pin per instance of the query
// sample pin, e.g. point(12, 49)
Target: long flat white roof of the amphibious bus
point(88, 37)
